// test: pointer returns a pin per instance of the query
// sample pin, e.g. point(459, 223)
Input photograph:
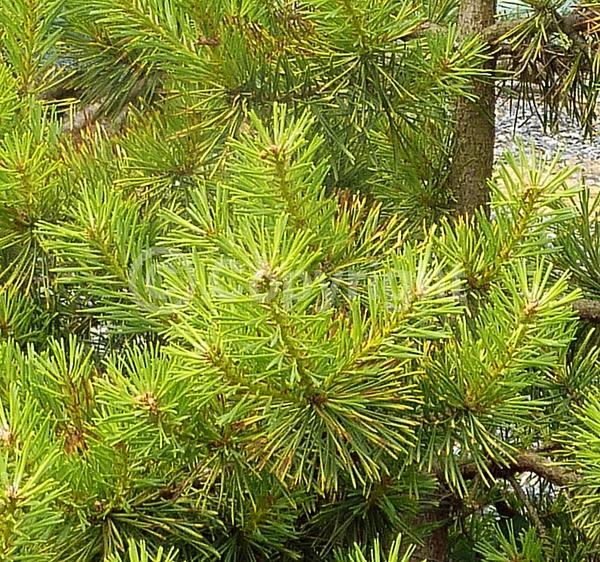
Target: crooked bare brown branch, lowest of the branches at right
point(526, 462)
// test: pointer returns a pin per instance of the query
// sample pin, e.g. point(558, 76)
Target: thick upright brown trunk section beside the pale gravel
point(473, 156)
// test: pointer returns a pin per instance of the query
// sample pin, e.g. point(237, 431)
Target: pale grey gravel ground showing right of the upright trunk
point(522, 124)
